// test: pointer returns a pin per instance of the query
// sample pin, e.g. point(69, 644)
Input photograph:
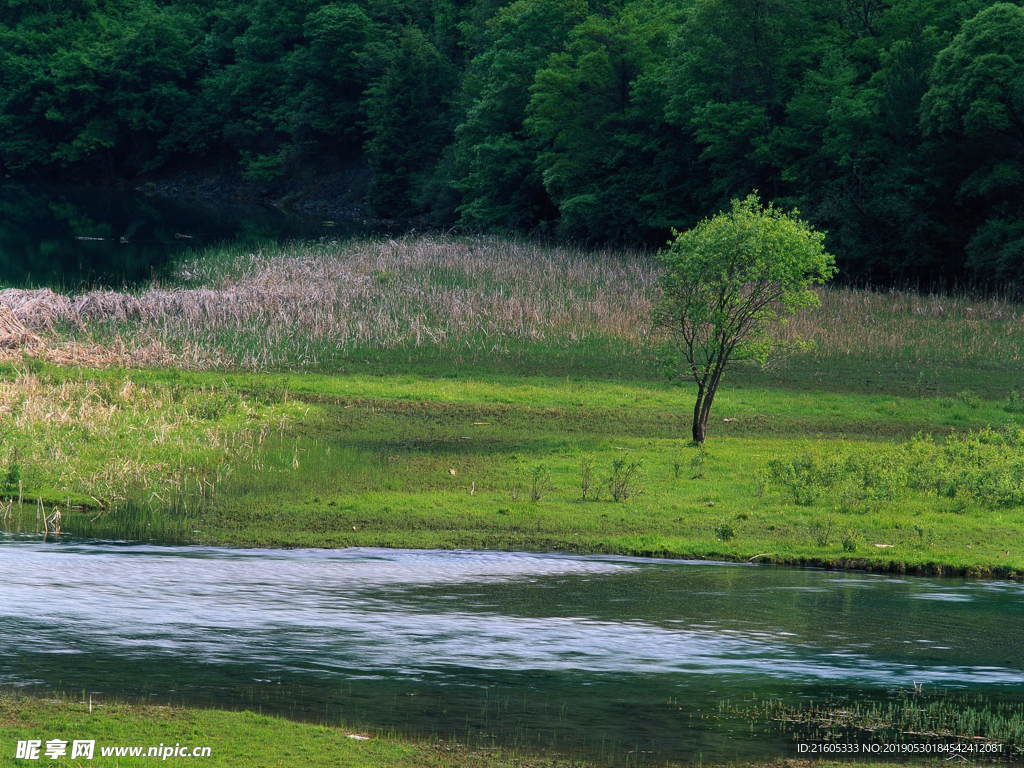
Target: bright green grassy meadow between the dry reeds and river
point(312, 460)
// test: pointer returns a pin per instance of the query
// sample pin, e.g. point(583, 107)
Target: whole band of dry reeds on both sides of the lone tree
point(315, 305)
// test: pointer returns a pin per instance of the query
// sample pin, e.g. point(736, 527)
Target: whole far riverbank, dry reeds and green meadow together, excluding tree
point(480, 394)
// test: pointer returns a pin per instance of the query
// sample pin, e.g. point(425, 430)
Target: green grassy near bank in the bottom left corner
point(249, 739)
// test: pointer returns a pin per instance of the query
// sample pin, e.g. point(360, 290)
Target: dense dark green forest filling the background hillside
point(898, 125)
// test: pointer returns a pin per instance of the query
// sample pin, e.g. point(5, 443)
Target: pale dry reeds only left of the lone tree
point(302, 306)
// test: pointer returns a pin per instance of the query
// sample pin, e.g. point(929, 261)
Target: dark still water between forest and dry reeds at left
point(71, 237)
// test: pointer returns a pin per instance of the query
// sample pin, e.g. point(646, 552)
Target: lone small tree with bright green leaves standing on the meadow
point(728, 282)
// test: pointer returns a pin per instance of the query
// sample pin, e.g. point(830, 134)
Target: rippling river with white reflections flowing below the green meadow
point(549, 650)
